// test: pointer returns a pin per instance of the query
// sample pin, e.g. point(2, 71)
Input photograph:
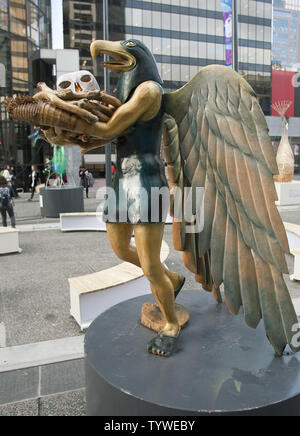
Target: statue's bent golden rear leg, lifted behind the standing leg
point(119, 236)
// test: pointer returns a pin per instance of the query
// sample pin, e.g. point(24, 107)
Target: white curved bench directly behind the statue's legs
point(93, 294)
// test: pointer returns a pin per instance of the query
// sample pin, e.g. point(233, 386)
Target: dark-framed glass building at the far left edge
point(24, 28)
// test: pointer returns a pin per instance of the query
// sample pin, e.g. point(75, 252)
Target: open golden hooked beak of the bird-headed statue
point(122, 60)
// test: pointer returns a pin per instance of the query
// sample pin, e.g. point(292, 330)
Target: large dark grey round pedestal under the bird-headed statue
point(222, 367)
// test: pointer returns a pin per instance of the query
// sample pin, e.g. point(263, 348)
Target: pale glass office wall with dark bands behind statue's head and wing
point(186, 35)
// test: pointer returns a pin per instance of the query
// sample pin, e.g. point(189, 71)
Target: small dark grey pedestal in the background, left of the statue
point(55, 201)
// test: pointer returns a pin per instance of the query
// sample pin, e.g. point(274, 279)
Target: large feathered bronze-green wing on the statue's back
point(216, 137)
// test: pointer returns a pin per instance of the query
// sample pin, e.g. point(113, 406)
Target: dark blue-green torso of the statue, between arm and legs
point(139, 168)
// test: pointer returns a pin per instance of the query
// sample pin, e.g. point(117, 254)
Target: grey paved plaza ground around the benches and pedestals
point(35, 305)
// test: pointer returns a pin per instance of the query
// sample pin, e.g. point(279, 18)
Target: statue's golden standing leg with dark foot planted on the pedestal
point(148, 240)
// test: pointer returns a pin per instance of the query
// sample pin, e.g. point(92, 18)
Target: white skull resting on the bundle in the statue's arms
point(79, 81)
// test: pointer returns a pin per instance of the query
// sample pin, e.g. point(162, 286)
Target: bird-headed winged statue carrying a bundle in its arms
point(215, 138)
